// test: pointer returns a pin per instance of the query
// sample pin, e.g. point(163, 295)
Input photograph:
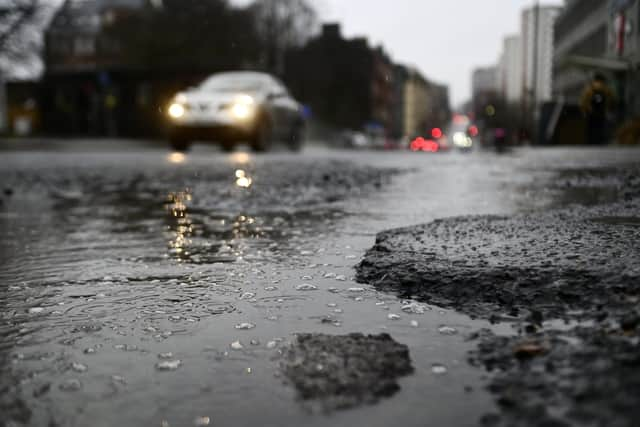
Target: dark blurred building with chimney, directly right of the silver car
point(347, 84)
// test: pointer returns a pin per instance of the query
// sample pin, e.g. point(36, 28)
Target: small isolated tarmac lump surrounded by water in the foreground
point(334, 372)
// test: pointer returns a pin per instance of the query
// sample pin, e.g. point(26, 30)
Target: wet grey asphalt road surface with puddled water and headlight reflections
point(140, 287)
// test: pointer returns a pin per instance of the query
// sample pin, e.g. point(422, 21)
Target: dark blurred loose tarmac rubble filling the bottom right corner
point(584, 377)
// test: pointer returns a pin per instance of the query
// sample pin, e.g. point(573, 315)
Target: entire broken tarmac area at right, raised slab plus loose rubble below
point(578, 263)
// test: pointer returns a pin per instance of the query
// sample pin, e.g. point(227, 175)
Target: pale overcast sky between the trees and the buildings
point(445, 39)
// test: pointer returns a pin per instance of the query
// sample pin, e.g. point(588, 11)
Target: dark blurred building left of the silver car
point(87, 89)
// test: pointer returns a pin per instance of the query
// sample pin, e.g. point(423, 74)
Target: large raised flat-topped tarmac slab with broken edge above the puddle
point(546, 265)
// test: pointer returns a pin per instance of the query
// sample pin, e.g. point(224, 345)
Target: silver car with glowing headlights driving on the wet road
point(236, 107)
